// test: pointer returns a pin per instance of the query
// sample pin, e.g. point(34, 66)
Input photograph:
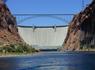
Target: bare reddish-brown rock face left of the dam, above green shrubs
point(8, 29)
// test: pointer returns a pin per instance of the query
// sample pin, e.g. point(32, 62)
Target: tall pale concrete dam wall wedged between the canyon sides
point(43, 37)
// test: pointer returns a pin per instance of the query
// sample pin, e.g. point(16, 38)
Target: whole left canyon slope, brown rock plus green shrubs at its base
point(10, 41)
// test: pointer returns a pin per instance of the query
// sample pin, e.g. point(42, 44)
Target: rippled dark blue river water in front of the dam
point(50, 61)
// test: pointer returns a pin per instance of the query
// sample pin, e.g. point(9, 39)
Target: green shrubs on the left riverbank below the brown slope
point(16, 49)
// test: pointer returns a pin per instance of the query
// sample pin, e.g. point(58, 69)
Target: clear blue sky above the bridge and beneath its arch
point(45, 7)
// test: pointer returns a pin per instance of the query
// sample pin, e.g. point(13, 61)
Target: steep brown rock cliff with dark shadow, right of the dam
point(81, 31)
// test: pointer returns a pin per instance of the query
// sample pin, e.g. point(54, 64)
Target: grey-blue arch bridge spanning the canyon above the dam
point(61, 18)
